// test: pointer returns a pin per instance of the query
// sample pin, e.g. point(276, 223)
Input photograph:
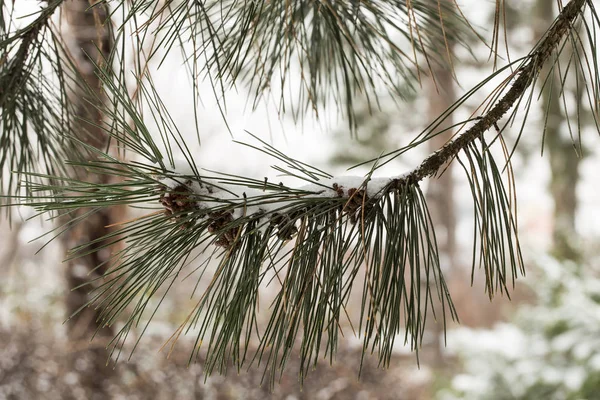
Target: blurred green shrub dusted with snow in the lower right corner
point(550, 351)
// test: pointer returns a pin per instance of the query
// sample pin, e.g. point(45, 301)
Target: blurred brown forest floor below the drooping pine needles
point(34, 365)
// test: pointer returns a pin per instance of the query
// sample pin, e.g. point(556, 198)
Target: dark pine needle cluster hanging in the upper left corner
point(34, 115)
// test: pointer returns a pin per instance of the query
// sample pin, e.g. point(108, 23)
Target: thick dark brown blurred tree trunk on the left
point(87, 33)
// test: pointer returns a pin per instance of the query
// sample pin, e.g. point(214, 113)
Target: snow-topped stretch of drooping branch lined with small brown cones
point(271, 205)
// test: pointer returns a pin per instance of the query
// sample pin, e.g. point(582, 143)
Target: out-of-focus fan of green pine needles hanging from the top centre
point(337, 50)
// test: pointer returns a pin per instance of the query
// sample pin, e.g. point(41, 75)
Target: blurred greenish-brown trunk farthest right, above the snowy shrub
point(564, 161)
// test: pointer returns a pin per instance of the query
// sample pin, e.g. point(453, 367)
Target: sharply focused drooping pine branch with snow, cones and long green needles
point(312, 242)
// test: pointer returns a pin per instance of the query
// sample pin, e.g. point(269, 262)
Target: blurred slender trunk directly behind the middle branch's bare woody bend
point(440, 194)
